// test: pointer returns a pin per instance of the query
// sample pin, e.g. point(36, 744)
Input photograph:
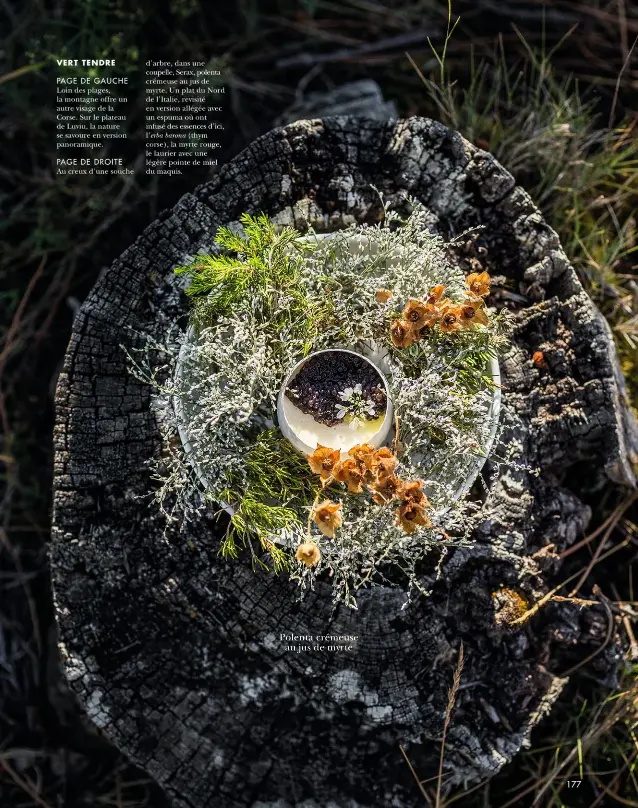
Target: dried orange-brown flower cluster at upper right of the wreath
point(420, 315)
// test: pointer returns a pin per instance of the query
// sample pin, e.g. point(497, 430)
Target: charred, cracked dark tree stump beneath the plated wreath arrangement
point(178, 656)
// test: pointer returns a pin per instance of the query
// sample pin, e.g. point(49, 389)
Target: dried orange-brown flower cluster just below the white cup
point(374, 470)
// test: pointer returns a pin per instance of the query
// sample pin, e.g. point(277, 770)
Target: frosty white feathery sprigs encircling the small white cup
point(220, 394)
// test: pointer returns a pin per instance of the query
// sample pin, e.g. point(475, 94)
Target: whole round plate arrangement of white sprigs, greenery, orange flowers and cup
point(336, 394)
